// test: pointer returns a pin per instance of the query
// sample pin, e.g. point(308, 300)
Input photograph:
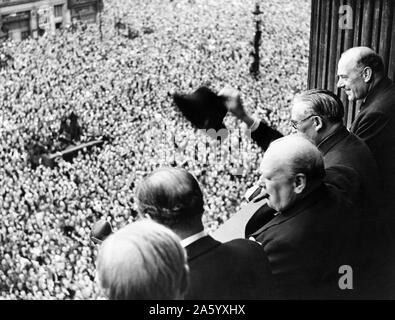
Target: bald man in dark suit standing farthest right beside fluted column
point(362, 77)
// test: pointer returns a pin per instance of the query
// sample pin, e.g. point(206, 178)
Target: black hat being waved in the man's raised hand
point(204, 108)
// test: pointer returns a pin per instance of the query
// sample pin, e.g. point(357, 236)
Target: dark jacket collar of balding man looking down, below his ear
point(299, 207)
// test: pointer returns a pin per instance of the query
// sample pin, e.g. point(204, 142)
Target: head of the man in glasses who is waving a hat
point(316, 114)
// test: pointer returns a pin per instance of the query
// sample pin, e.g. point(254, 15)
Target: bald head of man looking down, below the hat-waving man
point(292, 167)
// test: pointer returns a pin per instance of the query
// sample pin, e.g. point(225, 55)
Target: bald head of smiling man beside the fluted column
point(359, 69)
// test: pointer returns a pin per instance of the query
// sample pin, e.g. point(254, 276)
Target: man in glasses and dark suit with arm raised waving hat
point(318, 115)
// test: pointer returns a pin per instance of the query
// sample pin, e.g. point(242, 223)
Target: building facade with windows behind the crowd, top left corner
point(20, 19)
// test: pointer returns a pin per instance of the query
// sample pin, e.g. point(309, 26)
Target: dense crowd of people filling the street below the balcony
point(121, 87)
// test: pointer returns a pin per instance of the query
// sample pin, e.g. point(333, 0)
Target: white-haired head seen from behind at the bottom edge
point(144, 260)
